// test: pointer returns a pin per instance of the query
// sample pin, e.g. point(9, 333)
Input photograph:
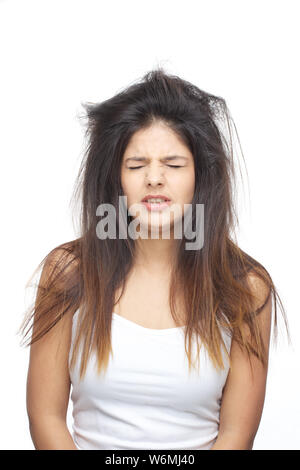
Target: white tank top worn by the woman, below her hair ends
point(147, 399)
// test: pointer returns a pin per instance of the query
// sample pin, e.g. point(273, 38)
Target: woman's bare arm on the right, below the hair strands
point(244, 391)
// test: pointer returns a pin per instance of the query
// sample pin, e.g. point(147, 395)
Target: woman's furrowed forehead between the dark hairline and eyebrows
point(157, 140)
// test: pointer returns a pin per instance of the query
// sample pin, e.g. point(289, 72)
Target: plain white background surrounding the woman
point(56, 55)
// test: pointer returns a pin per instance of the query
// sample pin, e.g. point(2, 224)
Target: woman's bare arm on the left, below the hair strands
point(48, 387)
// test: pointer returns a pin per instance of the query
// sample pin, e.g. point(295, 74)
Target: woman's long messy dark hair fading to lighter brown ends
point(84, 274)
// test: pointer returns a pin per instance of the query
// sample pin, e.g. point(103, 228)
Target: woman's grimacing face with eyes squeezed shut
point(148, 169)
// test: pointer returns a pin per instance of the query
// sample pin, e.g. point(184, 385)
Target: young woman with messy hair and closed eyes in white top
point(164, 343)
